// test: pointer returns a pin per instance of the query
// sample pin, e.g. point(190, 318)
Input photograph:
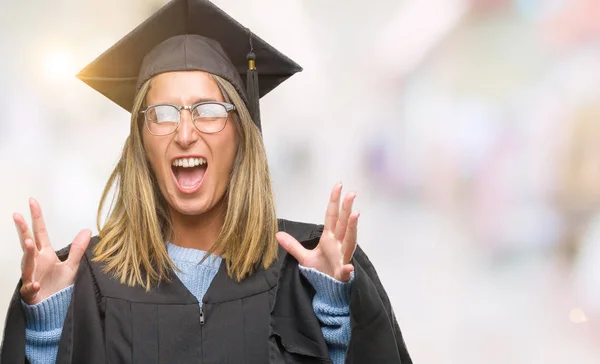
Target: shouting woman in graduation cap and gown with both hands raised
point(187, 267)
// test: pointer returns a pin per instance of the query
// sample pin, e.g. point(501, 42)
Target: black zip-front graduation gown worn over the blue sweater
point(267, 318)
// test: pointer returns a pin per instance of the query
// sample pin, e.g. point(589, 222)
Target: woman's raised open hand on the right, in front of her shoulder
point(334, 252)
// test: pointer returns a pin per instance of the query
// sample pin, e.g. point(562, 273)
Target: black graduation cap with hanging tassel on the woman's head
point(189, 35)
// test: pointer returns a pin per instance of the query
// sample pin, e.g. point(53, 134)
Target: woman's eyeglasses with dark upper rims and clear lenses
point(208, 117)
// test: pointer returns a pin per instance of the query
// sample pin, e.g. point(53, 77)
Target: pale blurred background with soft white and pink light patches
point(469, 129)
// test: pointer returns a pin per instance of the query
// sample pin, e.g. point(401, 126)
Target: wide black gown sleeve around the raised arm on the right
point(375, 335)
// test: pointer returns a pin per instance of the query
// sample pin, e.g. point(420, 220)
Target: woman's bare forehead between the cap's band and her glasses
point(183, 87)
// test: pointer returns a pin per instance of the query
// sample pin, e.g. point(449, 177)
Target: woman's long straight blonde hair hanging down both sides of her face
point(132, 241)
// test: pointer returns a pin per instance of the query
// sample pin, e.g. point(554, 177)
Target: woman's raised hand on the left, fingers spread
point(42, 273)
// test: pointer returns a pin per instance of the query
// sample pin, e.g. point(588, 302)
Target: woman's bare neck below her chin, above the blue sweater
point(198, 231)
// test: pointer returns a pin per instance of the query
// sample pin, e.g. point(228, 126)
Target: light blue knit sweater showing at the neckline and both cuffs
point(44, 320)
